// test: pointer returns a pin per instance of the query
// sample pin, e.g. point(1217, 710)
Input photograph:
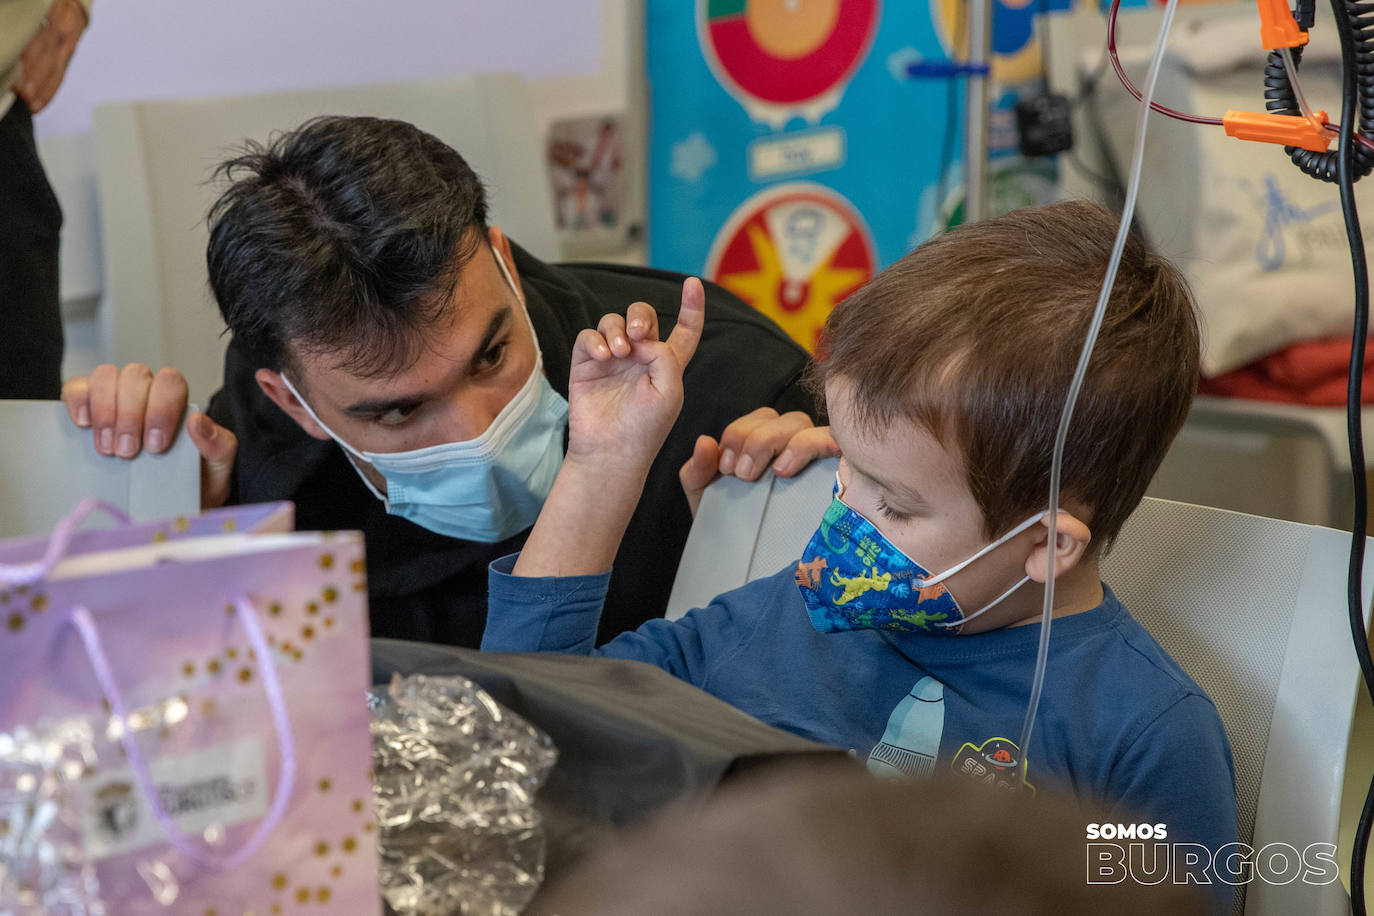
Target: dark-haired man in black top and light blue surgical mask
point(401, 367)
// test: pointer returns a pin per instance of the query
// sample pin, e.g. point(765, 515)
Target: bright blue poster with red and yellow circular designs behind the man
point(791, 154)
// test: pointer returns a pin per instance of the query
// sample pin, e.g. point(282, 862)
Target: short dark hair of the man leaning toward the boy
point(343, 237)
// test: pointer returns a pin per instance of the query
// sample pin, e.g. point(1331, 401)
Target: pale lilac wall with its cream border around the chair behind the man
point(579, 56)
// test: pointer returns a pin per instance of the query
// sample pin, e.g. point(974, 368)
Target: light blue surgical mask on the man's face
point(484, 490)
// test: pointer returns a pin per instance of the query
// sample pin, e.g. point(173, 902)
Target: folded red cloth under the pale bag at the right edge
point(1310, 373)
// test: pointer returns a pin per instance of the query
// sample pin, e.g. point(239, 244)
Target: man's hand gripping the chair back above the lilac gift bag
point(133, 410)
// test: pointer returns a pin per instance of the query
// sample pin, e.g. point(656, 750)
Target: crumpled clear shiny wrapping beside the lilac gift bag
point(455, 786)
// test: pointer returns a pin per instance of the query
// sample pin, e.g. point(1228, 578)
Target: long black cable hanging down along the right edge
point(1346, 154)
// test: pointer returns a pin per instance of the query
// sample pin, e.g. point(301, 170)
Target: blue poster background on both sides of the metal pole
point(895, 134)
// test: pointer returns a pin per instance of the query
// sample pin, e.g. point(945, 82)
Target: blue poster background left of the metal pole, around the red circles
point(892, 133)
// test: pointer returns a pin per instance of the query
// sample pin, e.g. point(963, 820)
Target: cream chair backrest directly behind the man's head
point(155, 164)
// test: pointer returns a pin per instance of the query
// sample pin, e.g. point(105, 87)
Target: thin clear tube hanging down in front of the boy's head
point(1077, 384)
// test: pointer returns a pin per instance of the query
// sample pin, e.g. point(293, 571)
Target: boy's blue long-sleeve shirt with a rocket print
point(1120, 724)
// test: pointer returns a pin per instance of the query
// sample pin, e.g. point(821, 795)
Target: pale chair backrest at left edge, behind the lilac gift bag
point(47, 466)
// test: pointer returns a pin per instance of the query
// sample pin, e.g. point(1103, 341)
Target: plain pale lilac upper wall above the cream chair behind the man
point(186, 49)
